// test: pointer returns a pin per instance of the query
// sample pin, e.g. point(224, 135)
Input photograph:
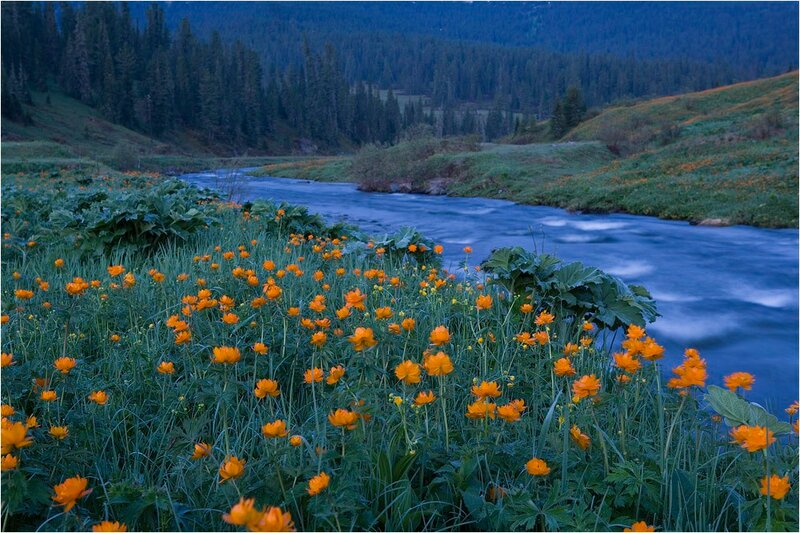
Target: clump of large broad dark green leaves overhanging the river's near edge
point(571, 288)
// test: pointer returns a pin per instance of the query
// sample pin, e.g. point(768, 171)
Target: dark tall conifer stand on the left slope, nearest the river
point(157, 81)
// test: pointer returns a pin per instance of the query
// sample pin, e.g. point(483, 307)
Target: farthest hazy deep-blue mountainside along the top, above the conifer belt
point(757, 38)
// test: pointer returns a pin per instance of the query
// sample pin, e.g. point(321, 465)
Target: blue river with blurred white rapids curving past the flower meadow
point(731, 292)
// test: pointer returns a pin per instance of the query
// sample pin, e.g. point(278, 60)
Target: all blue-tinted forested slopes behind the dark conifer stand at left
point(445, 50)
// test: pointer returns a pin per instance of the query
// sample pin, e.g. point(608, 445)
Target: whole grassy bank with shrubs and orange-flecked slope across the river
point(725, 156)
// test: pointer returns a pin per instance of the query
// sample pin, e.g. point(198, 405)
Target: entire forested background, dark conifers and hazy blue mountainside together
point(284, 78)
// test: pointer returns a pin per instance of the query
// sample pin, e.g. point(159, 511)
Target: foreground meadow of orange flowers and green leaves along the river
point(171, 361)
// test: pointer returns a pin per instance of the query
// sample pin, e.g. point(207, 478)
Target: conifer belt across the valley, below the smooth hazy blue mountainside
point(139, 73)
